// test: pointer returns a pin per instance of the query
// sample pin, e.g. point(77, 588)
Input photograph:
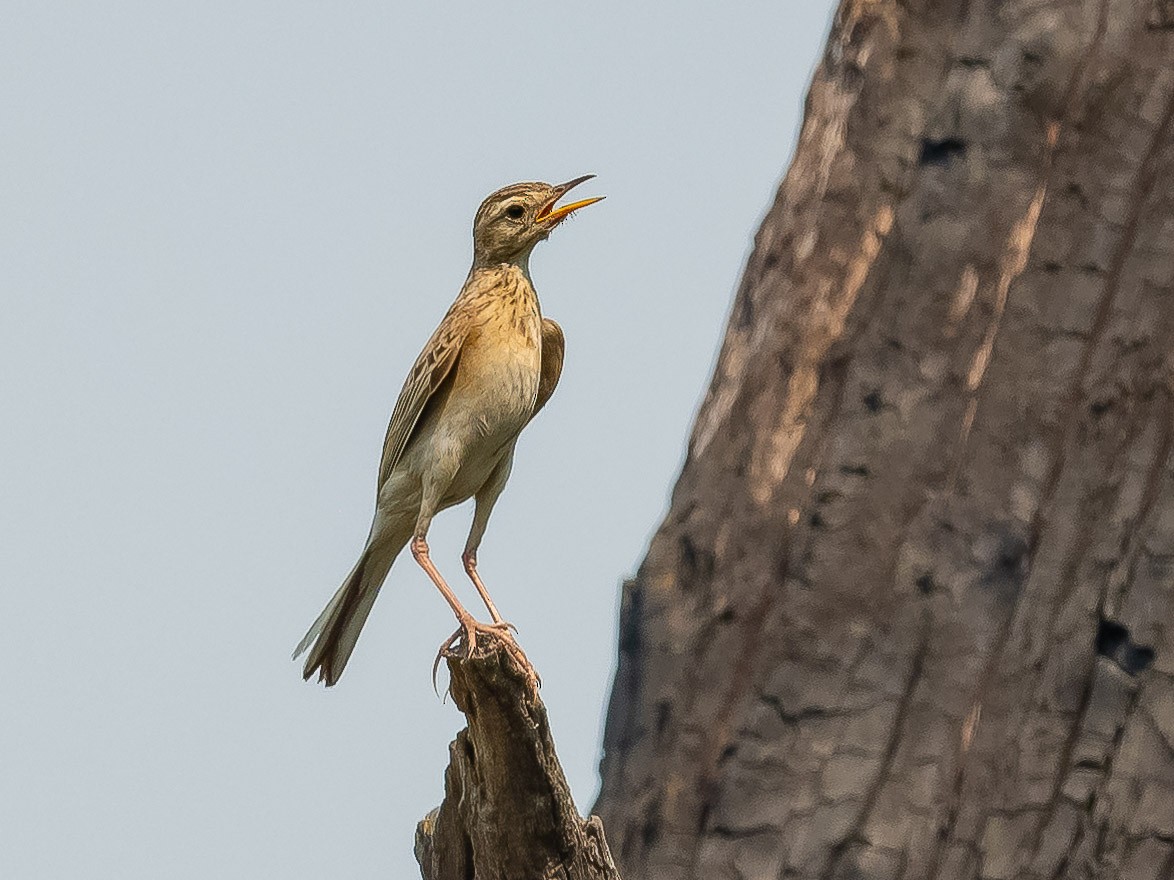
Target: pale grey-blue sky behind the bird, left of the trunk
point(226, 232)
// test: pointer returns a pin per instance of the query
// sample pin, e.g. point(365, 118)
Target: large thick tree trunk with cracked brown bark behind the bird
point(910, 612)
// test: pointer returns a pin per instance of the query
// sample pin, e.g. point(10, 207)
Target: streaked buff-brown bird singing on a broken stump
point(490, 367)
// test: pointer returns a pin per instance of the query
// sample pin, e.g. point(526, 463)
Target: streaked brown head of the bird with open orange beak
point(515, 219)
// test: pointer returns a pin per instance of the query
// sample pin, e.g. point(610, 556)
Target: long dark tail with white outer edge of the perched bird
point(338, 629)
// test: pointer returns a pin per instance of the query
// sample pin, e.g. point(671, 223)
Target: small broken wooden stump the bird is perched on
point(508, 813)
